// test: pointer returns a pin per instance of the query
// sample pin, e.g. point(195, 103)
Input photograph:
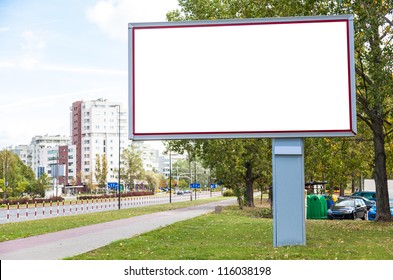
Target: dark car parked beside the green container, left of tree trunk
point(351, 208)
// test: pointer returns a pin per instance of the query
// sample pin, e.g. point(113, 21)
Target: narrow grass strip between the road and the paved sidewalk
point(16, 230)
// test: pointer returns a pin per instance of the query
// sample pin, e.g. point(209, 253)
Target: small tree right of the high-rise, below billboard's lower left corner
point(132, 165)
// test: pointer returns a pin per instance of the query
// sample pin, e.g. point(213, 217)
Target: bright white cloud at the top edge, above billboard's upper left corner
point(113, 16)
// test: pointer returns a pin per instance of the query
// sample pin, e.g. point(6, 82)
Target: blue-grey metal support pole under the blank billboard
point(288, 192)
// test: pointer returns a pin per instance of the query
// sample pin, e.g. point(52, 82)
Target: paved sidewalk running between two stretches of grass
point(66, 243)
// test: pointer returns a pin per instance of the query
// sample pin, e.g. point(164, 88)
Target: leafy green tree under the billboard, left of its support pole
point(238, 163)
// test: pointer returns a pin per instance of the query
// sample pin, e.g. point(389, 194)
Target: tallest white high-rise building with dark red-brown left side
point(95, 128)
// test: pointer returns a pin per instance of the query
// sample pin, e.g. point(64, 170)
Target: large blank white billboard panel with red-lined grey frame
point(235, 79)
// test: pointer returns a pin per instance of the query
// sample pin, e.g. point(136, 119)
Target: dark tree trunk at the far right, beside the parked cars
point(380, 176)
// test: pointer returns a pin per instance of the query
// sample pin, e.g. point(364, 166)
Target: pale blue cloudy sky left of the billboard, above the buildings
point(53, 53)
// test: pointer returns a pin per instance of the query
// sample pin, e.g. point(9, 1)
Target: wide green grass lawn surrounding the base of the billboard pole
point(244, 235)
